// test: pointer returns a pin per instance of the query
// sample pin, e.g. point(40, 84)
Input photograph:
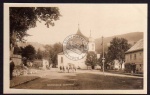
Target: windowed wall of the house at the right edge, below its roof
point(136, 58)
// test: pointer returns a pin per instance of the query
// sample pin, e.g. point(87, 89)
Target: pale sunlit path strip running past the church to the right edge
point(44, 73)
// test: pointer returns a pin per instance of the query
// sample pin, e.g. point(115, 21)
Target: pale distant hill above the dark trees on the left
point(36, 45)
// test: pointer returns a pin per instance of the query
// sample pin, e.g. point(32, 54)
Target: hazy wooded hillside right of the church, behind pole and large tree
point(131, 37)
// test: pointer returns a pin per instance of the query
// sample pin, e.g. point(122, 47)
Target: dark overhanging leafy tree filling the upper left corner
point(24, 18)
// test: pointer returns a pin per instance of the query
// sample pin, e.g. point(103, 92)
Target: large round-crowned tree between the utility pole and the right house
point(117, 49)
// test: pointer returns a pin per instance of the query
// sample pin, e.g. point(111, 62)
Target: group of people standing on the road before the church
point(68, 68)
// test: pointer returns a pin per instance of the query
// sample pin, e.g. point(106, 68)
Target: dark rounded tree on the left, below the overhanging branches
point(29, 52)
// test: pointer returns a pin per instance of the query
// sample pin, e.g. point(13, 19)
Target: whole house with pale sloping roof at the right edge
point(134, 58)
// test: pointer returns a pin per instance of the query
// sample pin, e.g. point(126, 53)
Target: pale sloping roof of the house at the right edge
point(136, 47)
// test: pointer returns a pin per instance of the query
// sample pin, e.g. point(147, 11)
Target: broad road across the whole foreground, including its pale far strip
point(82, 79)
